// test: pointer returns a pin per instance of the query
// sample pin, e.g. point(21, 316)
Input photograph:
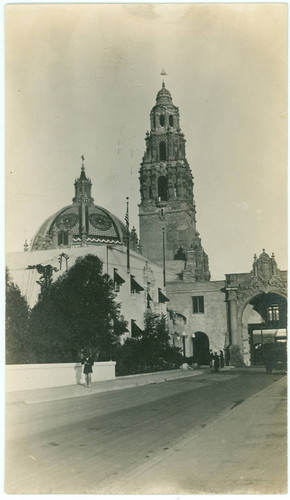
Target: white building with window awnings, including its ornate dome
point(84, 228)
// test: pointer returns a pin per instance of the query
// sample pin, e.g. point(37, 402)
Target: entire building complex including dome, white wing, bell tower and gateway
point(168, 272)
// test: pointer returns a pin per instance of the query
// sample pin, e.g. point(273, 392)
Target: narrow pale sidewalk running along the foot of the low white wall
point(73, 391)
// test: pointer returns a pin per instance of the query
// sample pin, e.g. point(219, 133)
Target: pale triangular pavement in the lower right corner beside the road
point(245, 450)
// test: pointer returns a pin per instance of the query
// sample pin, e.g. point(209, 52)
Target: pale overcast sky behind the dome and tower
point(82, 79)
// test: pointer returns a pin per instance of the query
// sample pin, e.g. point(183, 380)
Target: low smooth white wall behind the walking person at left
point(42, 376)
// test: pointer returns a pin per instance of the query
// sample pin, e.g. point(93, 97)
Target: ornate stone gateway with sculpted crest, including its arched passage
point(257, 309)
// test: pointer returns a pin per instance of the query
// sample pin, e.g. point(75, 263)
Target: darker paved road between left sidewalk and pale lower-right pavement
point(83, 445)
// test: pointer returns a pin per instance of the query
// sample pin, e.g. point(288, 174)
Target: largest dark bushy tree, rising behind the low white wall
point(76, 314)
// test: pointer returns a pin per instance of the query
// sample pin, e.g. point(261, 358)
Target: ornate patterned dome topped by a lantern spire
point(80, 224)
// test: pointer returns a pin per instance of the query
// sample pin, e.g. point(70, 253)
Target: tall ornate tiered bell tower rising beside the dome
point(166, 188)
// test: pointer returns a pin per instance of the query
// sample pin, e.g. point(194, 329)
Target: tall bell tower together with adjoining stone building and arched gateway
point(204, 314)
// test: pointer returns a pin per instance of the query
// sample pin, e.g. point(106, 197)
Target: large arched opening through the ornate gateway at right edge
point(264, 325)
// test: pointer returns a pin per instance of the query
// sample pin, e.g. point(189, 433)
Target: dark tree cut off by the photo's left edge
point(17, 316)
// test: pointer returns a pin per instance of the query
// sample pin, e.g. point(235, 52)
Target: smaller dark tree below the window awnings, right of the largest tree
point(151, 351)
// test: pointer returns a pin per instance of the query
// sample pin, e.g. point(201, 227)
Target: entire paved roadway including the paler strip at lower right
point(132, 440)
